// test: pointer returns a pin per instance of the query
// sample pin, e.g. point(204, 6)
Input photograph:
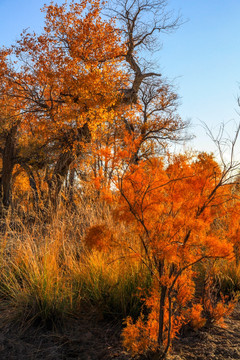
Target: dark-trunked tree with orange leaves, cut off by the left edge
point(19, 152)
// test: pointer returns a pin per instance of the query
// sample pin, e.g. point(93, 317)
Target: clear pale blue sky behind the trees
point(202, 57)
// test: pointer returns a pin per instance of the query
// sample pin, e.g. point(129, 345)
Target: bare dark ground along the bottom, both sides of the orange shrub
point(100, 340)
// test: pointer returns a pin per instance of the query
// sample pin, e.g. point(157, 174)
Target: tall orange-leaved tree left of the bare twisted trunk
point(68, 80)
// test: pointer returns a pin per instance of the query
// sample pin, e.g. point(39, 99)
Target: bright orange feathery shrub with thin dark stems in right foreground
point(175, 207)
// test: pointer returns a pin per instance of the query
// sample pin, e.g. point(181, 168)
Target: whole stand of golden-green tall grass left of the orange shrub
point(49, 274)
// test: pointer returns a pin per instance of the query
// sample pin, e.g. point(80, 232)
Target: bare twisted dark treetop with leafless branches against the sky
point(140, 22)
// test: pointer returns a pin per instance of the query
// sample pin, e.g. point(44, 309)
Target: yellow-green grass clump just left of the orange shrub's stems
point(112, 286)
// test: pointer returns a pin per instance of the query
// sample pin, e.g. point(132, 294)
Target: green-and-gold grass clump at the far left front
point(33, 284)
